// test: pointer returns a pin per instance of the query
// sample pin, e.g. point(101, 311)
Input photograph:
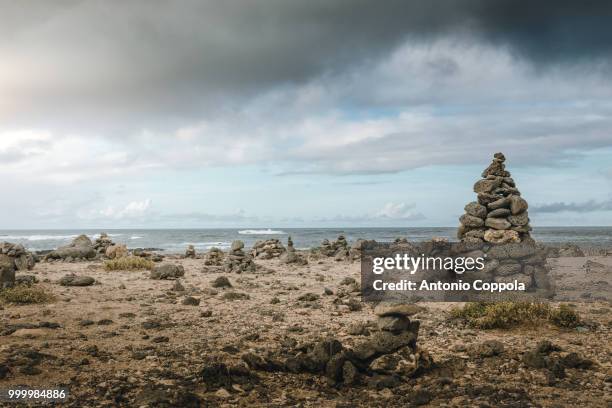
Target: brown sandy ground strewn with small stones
point(130, 341)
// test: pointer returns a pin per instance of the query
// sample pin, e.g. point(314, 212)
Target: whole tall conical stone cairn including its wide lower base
point(497, 227)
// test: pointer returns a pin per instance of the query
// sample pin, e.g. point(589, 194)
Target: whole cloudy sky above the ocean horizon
point(319, 113)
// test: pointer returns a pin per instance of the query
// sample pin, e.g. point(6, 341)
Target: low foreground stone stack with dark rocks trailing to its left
point(381, 360)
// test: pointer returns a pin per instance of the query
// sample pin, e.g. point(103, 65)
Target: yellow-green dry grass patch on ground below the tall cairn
point(506, 315)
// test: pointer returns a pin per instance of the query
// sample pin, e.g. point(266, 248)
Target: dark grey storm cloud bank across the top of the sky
point(183, 56)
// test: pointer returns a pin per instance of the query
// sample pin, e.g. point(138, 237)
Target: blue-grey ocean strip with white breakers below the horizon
point(176, 240)
